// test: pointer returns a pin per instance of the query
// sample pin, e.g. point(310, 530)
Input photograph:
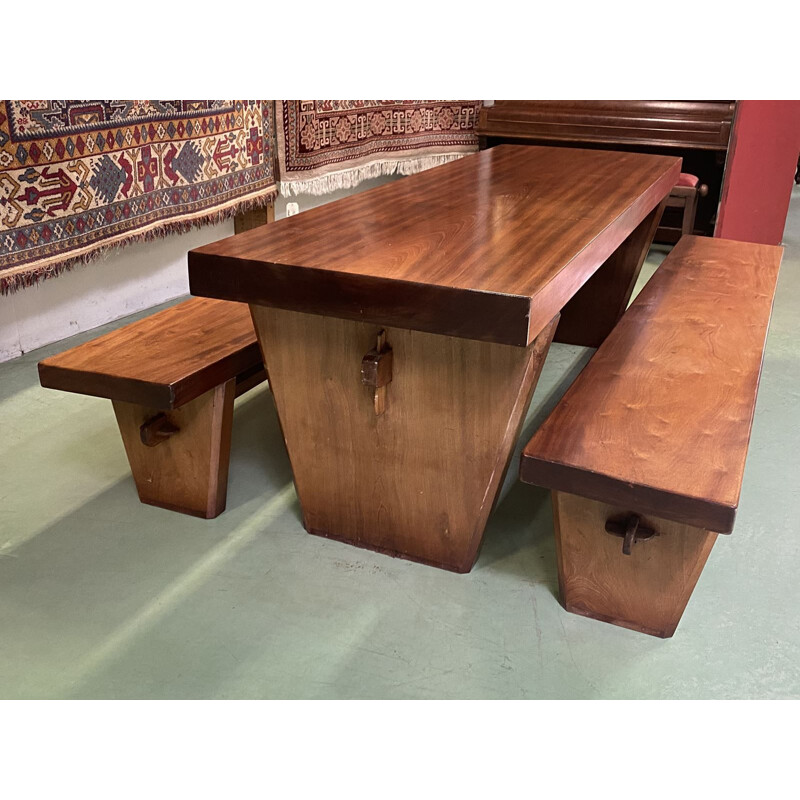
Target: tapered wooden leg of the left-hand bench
point(187, 470)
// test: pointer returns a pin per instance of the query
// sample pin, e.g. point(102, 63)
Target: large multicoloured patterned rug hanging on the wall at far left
point(77, 176)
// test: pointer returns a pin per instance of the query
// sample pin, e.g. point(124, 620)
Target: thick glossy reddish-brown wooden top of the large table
point(488, 247)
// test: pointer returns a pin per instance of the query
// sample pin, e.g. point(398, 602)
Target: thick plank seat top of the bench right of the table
point(660, 418)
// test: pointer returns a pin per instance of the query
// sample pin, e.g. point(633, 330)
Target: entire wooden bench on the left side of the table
point(172, 378)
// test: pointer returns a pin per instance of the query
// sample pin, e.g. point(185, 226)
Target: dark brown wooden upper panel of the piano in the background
point(702, 124)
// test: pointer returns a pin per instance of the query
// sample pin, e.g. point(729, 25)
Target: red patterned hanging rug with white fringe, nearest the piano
point(324, 145)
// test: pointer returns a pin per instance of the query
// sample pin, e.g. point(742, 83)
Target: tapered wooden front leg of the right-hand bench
point(647, 590)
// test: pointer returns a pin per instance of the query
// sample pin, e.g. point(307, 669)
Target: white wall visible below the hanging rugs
point(122, 282)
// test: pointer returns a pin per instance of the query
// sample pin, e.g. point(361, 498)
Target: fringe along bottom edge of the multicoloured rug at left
point(9, 284)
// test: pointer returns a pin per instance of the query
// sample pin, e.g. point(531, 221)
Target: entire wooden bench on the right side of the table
point(645, 452)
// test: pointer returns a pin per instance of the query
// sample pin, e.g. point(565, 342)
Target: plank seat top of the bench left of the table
point(164, 360)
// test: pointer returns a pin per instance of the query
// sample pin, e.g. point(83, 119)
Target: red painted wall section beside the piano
point(759, 173)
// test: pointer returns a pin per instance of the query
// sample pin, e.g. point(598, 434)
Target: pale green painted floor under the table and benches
point(102, 597)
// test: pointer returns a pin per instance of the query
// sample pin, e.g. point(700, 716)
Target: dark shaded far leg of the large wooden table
point(598, 305)
